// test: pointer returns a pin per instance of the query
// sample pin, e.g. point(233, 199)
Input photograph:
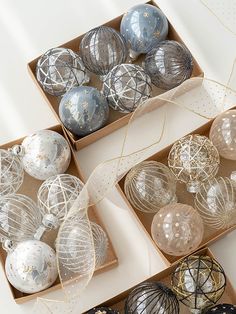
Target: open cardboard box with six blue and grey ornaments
point(94, 82)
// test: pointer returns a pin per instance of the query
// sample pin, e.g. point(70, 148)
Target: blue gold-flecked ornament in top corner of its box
point(143, 26)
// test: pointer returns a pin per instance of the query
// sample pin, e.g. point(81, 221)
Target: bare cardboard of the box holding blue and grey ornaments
point(116, 119)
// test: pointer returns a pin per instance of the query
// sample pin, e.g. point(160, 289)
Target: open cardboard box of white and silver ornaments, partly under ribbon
point(40, 181)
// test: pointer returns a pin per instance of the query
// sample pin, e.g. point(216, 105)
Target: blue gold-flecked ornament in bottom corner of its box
point(83, 110)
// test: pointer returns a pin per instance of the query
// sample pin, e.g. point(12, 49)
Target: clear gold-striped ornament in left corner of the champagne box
point(149, 186)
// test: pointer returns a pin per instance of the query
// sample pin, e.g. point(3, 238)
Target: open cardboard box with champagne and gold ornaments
point(185, 195)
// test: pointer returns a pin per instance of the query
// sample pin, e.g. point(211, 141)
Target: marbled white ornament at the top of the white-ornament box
point(45, 153)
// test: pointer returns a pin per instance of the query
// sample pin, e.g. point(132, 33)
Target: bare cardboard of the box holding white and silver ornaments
point(30, 187)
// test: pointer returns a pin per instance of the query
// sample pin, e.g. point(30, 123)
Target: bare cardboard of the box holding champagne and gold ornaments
point(145, 219)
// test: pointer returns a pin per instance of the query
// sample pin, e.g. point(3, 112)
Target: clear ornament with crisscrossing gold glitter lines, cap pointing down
point(193, 159)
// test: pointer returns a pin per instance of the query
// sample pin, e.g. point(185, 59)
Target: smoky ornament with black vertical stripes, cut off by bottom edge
point(151, 298)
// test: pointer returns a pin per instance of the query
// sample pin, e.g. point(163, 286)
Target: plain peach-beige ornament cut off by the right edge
point(223, 134)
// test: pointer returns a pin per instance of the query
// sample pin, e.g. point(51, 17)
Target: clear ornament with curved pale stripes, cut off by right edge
point(216, 202)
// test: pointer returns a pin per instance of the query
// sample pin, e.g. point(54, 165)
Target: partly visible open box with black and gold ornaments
point(197, 284)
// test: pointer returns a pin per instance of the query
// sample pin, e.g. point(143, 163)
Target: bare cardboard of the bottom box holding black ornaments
point(118, 301)
